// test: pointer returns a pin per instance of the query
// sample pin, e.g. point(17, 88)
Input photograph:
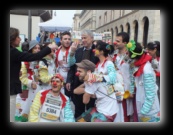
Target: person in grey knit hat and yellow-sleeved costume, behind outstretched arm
point(30, 79)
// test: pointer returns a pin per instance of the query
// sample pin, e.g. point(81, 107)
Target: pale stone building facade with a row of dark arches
point(142, 25)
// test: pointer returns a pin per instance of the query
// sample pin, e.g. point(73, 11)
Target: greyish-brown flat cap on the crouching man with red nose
point(87, 65)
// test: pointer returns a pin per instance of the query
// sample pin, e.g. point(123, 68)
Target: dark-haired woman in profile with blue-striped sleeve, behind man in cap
point(105, 68)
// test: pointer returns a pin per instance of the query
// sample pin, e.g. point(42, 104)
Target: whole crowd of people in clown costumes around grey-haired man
point(106, 83)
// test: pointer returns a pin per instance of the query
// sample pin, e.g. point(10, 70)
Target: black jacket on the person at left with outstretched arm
point(16, 57)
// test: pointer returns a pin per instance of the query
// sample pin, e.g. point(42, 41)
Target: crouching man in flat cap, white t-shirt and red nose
point(95, 86)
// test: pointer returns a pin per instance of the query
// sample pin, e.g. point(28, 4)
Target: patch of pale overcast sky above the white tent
point(64, 16)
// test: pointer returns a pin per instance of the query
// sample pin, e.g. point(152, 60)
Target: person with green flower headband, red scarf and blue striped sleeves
point(143, 79)
